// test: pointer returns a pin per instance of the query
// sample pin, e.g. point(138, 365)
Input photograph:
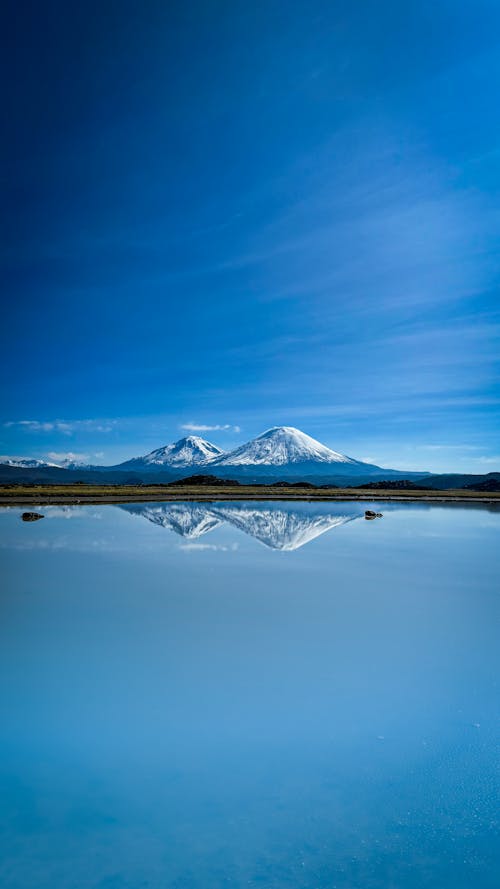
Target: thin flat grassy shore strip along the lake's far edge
point(24, 495)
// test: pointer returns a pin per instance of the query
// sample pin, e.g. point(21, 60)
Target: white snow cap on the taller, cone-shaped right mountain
point(280, 446)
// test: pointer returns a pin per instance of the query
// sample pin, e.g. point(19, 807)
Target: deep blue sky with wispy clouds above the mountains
point(235, 215)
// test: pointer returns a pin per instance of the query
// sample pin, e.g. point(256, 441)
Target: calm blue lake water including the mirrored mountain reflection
point(196, 696)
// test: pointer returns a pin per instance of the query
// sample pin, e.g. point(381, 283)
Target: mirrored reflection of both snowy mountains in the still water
point(280, 526)
